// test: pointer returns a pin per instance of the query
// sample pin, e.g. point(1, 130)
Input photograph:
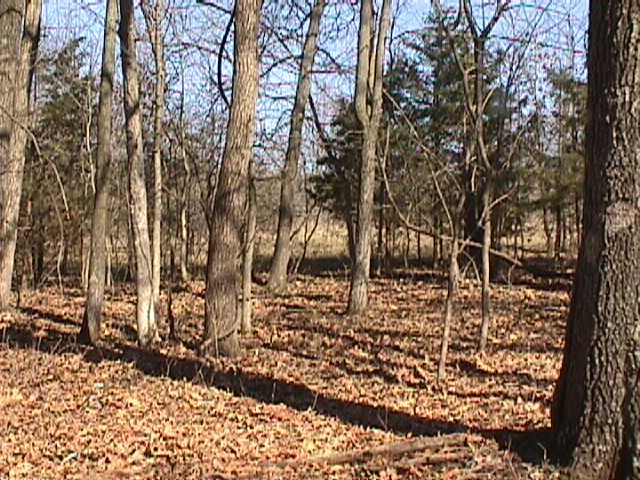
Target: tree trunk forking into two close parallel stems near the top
point(368, 78)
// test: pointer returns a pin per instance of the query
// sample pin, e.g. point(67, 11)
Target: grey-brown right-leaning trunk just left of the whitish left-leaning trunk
point(90, 331)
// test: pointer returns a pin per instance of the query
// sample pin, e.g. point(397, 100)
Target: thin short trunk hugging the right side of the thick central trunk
point(247, 256)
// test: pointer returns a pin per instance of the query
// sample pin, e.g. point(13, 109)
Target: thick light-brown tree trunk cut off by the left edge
point(19, 36)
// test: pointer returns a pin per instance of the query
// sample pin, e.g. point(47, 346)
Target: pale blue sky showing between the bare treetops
point(199, 28)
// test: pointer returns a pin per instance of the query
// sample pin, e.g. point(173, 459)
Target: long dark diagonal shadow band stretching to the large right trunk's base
point(531, 446)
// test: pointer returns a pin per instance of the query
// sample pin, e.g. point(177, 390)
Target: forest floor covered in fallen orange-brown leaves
point(316, 394)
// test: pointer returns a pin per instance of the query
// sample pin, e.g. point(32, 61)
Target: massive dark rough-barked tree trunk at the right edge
point(596, 410)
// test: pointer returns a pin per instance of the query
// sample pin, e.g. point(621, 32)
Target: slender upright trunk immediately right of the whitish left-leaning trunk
point(153, 17)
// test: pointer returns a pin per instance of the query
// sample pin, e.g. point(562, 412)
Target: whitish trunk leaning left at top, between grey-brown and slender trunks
point(145, 308)
